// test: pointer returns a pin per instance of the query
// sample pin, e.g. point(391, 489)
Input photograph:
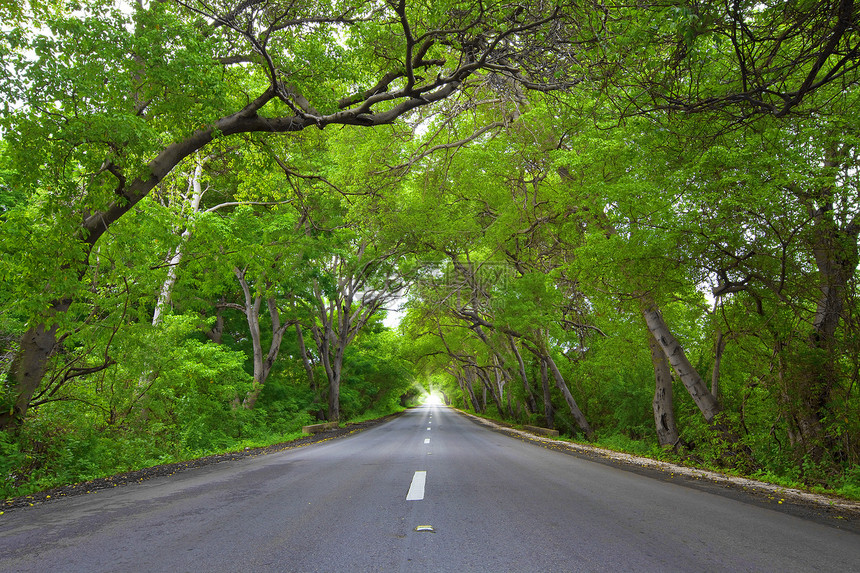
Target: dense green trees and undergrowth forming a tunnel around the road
point(638, 225)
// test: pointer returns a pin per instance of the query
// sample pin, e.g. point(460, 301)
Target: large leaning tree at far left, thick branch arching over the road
point(102, 147)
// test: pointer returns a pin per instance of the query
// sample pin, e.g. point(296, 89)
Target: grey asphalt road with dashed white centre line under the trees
point(494, 503)
